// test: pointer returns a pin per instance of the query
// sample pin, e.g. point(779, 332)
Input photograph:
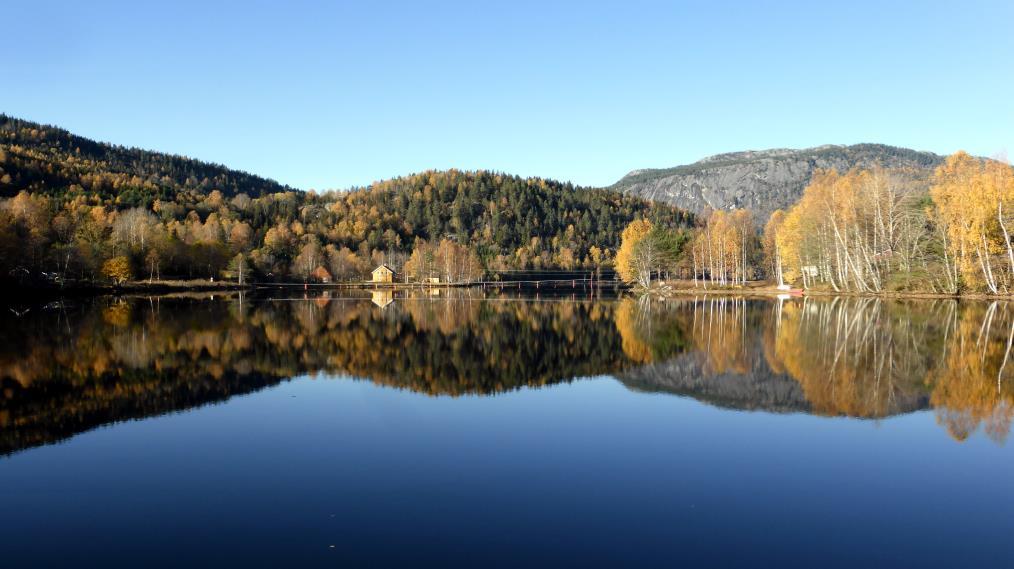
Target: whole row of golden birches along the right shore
point(865, 231)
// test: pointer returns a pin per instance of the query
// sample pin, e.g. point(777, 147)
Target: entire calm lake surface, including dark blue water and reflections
point(475, 432)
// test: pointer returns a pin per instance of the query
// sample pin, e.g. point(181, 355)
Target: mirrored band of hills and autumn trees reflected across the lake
point(68, 368)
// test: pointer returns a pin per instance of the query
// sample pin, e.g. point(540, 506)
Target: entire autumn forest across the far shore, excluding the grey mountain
point(80, 212)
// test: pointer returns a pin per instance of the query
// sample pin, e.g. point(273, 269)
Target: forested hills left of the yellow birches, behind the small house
point(85, 211)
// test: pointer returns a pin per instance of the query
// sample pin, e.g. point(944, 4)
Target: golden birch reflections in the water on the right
point(855, 357)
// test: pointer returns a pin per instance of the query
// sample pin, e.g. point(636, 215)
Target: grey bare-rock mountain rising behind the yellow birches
point(762, 181)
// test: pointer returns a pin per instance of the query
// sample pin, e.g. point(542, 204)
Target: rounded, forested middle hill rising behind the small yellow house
point(498, 215)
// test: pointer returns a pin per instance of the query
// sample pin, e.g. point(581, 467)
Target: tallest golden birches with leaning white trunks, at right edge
point(882, 231)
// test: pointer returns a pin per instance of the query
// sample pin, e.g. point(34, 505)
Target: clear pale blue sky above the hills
point(331, 95)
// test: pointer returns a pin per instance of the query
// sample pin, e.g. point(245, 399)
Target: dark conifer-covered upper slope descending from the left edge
point(49, 160)
